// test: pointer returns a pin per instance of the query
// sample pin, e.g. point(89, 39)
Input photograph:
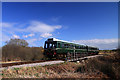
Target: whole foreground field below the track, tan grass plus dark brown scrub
point(105, 67)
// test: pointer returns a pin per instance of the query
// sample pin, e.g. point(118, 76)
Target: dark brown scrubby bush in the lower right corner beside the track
point(109, 65)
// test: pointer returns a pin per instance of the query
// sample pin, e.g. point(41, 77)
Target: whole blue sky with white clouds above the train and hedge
point(89, 23)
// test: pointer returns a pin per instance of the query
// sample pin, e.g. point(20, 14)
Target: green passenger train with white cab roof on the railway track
point(60, 49)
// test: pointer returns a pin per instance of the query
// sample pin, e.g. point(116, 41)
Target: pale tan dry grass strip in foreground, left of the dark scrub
point(64, 70)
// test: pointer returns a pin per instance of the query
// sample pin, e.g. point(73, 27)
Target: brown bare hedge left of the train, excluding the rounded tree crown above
point(13, 53)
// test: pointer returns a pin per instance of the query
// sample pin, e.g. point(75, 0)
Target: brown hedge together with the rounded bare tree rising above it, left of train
point(18, 50)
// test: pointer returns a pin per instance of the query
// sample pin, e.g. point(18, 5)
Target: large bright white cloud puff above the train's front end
point(36, 26)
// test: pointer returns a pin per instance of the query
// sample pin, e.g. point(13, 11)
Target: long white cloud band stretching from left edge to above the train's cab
point(33, 26)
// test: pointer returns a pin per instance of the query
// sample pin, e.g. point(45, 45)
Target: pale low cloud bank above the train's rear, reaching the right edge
point(100, 43)
